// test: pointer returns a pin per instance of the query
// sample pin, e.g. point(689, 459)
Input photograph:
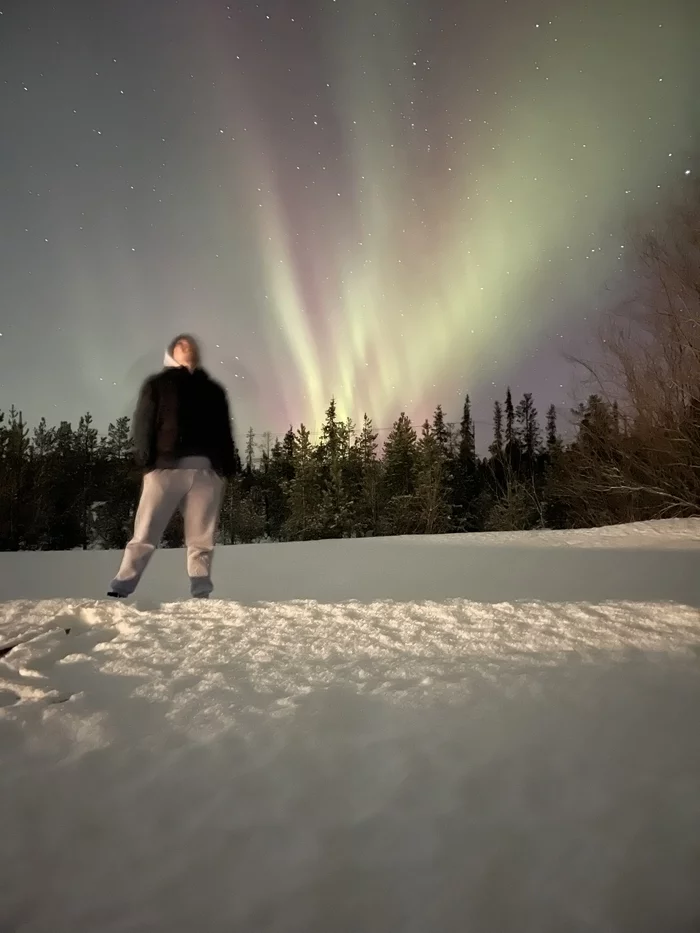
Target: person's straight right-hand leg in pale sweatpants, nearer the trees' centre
point(201, 512)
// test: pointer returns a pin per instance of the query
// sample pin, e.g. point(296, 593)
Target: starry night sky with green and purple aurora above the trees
point(391, 202)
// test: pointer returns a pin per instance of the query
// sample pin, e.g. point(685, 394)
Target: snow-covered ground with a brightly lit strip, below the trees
point(465, 733)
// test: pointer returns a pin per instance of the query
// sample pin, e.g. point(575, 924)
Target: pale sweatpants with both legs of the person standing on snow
point(199, 493)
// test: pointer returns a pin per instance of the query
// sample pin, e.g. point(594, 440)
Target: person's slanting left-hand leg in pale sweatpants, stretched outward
point(162, 492)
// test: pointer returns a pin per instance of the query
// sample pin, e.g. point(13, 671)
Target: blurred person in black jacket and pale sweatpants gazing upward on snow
point(184, 442)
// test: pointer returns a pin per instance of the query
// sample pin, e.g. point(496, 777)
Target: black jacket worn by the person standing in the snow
point(183, 414)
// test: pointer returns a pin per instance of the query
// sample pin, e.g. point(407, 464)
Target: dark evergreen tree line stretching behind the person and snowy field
point(70, 487)
